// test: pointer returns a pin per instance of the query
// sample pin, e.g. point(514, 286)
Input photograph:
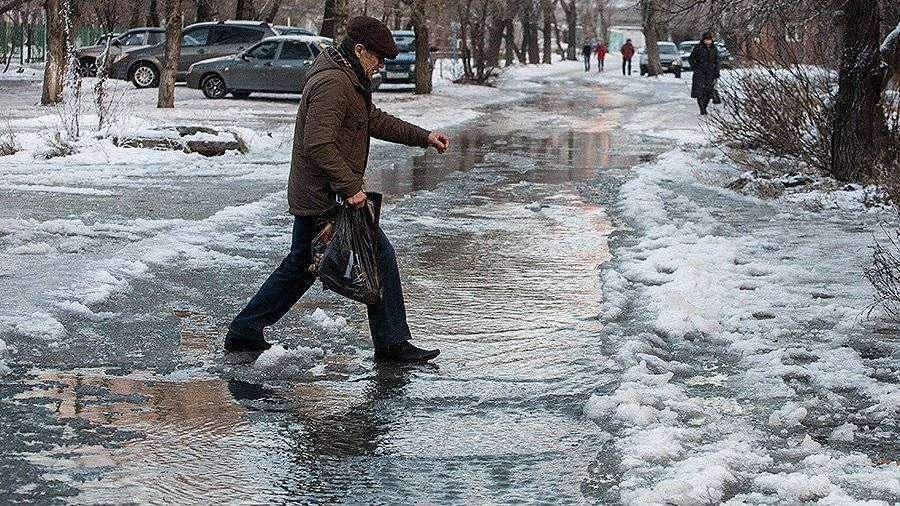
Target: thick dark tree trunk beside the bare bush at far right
point(859, 120)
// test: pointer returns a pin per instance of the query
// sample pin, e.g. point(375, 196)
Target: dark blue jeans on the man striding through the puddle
point(285, 286)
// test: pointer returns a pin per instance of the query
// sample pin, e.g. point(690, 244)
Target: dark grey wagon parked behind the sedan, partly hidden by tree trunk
point(200, 41)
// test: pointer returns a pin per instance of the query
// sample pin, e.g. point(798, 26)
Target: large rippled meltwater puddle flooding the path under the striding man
point(499, 254)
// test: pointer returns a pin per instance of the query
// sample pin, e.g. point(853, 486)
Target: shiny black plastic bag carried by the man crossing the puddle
point(345, 252)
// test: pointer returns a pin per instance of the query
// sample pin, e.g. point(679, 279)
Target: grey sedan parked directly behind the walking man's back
point(275, 65)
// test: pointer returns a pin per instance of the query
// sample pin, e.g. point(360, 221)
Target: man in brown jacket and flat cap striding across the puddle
point(331, 146)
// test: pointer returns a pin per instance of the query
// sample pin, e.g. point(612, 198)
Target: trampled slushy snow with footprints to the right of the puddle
point(747, 378)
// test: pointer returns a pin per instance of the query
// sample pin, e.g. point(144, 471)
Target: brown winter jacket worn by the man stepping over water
point(331, 138)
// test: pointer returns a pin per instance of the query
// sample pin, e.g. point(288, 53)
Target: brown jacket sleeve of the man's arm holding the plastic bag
point(326, 110)
